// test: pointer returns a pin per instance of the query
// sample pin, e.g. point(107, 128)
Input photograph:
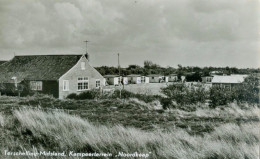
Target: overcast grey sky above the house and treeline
point(167, 32)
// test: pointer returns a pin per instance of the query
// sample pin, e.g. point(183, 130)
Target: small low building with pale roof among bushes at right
point(228, 81)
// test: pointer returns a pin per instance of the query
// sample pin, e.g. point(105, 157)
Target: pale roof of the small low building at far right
point(229, 79)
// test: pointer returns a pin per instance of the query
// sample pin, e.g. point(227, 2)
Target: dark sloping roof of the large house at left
point(38, 67)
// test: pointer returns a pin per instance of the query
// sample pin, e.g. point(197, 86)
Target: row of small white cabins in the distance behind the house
point(138, 79)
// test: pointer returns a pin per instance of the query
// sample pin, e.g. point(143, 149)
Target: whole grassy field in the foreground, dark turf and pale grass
point(42, 123)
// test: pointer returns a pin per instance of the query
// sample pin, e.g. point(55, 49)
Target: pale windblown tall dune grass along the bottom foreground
point(56, 130)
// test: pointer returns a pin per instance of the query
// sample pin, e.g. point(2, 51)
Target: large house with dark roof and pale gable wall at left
point(57, 75)
